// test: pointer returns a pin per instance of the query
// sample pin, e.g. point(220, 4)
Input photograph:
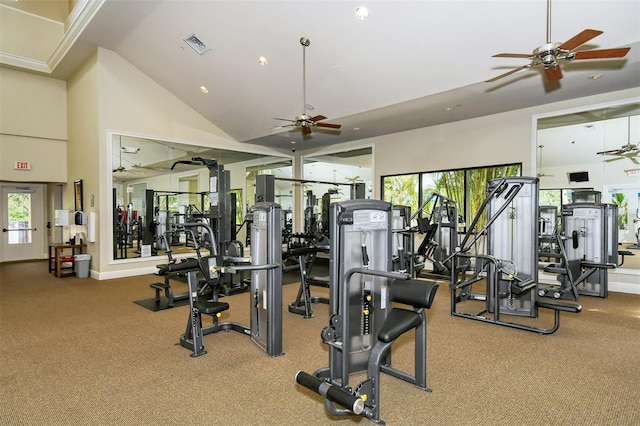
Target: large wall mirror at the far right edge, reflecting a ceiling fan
point(595, 149)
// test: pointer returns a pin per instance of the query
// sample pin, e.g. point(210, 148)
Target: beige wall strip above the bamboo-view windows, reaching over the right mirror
point(490, 140)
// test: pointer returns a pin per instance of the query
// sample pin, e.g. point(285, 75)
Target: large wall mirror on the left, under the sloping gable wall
point(152, 188)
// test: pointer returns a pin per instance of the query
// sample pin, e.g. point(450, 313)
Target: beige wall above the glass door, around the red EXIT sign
point(33, 127)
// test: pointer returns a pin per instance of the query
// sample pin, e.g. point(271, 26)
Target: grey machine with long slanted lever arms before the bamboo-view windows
point(508, 272)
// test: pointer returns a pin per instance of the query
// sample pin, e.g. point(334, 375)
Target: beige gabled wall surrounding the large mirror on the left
point(128, 102)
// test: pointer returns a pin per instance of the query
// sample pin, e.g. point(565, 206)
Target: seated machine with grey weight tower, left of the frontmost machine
point(266, 284)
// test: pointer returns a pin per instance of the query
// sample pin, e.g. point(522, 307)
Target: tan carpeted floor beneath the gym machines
point(79, 352)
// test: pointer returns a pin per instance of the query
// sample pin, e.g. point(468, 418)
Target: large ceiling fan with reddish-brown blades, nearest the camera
point(551, 54)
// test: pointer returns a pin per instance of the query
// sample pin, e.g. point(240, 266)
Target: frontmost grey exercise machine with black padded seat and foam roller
point(363, 323)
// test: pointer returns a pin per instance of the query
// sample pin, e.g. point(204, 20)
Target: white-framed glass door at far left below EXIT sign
point(22, 216)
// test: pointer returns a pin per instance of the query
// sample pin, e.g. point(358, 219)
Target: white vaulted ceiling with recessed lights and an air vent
point(400, 69)
